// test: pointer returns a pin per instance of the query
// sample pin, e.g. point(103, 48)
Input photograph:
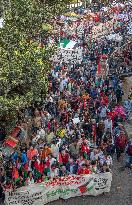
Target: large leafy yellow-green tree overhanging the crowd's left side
point(24, 63)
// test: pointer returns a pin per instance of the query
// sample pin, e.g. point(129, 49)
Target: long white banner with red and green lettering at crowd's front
point(63, 187)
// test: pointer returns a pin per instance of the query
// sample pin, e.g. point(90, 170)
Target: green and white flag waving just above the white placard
point(67, 44)
